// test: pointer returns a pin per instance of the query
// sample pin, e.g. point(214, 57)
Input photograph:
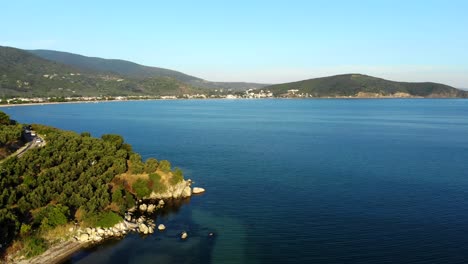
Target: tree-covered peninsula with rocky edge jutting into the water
point(74, 182)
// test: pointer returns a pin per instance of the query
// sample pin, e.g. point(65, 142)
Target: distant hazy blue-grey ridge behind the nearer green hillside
point(133, 70)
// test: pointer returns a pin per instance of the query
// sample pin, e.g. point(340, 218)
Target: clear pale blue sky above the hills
point(260, 41)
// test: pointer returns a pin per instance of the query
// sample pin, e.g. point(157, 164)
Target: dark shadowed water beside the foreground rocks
point(159, 247)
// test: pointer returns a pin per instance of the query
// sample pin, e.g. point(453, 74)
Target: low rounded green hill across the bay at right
point(358, 85)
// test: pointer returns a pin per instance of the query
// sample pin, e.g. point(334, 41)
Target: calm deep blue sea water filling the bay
point(294, 181)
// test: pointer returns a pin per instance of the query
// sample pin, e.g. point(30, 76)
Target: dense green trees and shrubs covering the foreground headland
point(73, 178)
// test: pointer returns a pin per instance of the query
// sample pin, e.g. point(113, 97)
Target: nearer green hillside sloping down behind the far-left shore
point(27, 75)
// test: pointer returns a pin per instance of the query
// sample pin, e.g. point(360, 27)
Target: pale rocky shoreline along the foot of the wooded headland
point(136, 219)
